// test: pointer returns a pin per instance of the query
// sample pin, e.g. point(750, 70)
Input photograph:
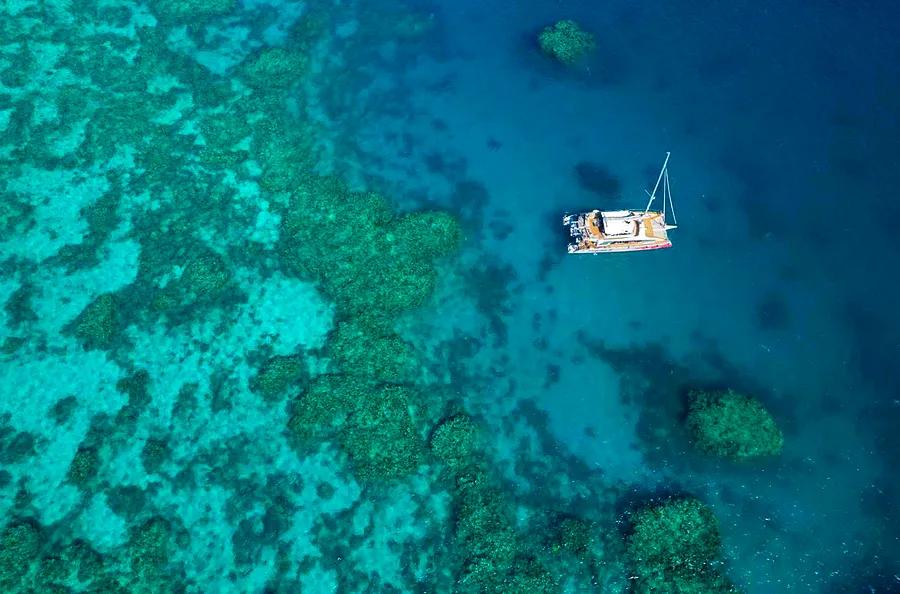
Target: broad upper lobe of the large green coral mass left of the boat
point(369, 262)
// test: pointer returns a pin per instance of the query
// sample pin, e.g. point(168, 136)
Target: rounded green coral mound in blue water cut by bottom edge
point(674, 546)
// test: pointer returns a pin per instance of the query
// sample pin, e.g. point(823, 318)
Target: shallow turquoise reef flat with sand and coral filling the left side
point(204, 383)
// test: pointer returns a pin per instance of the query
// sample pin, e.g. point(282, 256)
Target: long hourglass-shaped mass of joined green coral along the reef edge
point(374, 266)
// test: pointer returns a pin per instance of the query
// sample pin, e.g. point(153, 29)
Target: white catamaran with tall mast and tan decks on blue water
point(602, 231)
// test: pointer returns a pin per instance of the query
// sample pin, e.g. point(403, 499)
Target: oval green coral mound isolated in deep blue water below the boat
point(732, 425)
